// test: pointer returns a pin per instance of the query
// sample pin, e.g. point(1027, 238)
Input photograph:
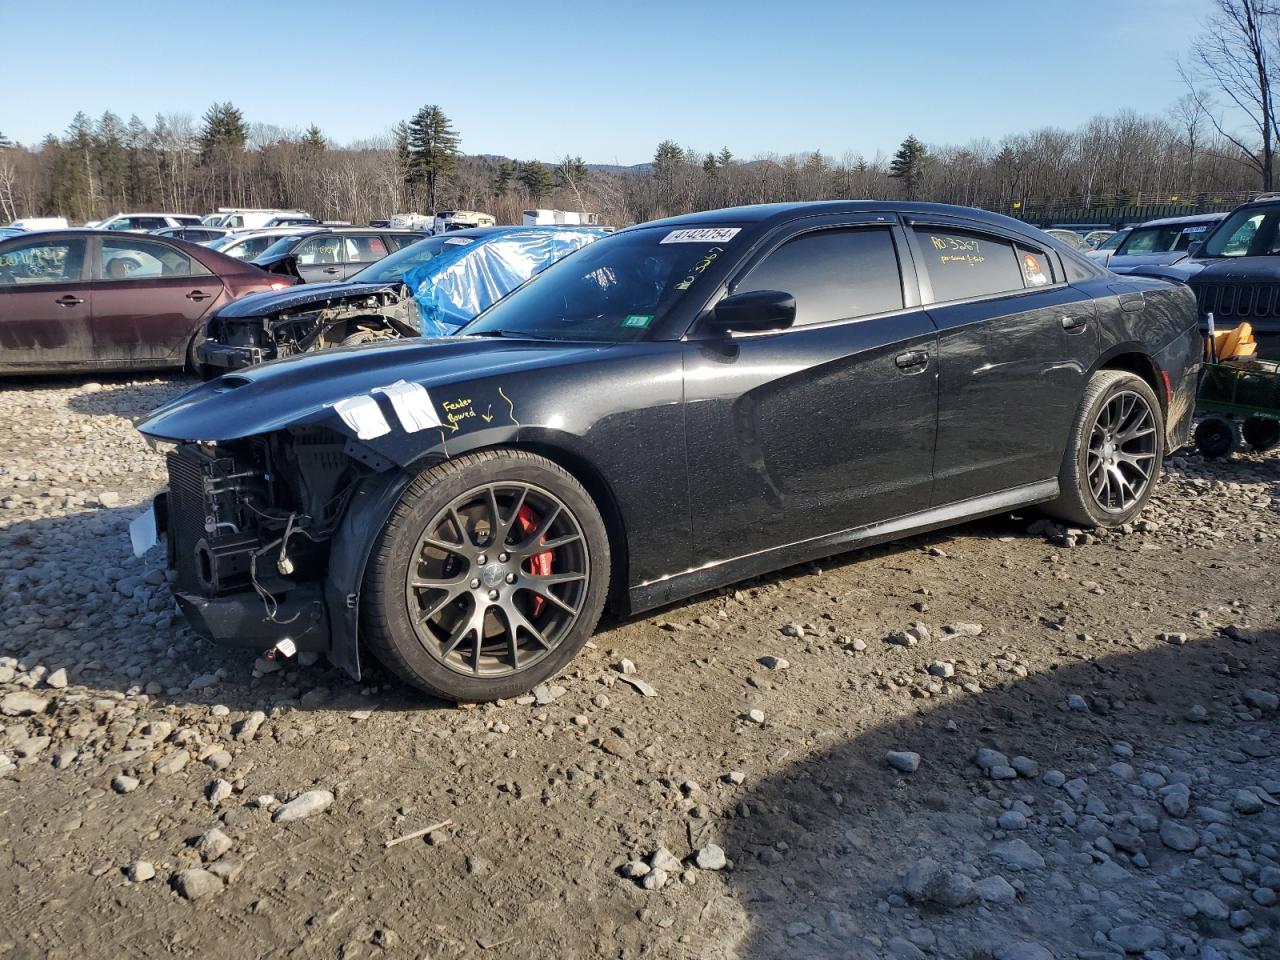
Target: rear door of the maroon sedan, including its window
point(149, 299)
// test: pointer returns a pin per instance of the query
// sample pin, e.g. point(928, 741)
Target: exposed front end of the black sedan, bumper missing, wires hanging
point(249, 527)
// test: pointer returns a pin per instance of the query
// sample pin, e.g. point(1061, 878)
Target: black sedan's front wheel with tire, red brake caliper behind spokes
point(487, 577)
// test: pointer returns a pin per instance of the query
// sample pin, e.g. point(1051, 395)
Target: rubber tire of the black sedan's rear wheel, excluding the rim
point(1076, 502)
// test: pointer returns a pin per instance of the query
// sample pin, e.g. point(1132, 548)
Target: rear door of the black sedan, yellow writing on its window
point(1016, 346)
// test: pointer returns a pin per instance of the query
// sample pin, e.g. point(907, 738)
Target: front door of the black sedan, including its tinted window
point(825, 427)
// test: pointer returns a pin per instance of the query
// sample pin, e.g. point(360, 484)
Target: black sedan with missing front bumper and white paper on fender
point(676, 408)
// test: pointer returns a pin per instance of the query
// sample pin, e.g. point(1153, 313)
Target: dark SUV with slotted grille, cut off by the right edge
point(1236, 272)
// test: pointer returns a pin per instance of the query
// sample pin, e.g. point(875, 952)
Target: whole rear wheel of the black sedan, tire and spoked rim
point(1107, 481)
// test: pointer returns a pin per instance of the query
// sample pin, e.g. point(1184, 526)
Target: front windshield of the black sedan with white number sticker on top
point(615, 290)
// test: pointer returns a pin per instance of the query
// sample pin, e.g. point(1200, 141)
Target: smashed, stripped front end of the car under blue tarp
point(236, 337)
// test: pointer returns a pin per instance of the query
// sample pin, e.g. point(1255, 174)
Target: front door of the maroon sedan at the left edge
point(45, 304)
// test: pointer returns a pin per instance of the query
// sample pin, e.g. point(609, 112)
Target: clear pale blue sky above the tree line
point(605, 80)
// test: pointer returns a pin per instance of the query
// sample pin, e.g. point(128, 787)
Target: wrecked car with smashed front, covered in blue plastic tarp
point(431, 287)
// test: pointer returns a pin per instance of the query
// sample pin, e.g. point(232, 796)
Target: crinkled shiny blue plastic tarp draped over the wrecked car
point(458, 285)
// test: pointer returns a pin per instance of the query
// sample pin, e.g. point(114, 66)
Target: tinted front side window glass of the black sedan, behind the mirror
point(834, 275)
